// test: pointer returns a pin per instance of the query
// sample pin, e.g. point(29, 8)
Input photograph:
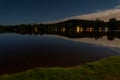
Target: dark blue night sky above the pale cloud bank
point(36, 11)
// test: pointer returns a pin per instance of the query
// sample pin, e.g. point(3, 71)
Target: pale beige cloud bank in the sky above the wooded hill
point(104, 14)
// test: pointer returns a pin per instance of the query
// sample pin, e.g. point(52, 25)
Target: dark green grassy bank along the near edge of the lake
point(105, 69)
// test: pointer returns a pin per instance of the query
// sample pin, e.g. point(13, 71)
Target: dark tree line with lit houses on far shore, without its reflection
point(70, 25)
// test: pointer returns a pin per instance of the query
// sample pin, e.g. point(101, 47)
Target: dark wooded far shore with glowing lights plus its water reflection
point(72, 28)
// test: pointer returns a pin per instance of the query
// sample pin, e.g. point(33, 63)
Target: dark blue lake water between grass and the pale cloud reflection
point(22, 52)
